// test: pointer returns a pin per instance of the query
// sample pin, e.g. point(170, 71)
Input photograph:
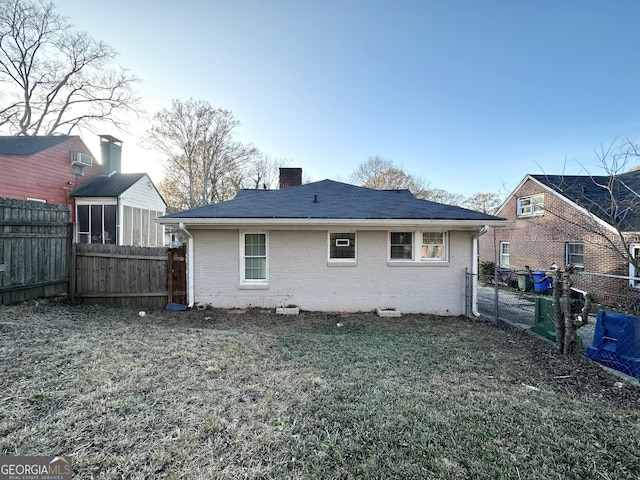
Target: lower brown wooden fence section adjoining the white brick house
point(147, 277)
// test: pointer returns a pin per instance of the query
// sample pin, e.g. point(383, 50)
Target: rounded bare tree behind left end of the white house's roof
point(204, 164)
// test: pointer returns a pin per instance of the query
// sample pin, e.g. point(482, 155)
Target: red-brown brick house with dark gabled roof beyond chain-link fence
point(563, 219)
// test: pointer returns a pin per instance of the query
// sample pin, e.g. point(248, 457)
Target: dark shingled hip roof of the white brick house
point(328, 199)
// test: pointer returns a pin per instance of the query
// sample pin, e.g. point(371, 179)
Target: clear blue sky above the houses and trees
point(470, 95)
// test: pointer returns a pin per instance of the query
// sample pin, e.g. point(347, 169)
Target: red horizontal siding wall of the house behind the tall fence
point(45, 175)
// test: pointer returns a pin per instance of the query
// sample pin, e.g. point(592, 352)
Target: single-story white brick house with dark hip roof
point(330, 246)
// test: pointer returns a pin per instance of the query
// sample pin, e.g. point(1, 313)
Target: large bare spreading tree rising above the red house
point(56, 79)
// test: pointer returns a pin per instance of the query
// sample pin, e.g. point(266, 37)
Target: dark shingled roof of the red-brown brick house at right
point(592, 193)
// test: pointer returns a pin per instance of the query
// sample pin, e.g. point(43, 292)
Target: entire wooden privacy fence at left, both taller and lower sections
point(38, 259)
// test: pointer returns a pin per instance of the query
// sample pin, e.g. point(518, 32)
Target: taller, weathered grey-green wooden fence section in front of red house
point(35, 250)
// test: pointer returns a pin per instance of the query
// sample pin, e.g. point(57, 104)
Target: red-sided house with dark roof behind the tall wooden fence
point(44, 169)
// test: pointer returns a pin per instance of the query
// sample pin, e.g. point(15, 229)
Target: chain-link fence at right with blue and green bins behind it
point(524, 299)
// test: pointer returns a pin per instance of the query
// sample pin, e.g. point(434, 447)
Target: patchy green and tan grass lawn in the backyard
point(217, 394)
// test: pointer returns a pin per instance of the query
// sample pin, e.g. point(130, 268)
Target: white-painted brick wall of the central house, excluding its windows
point(300, 274)
